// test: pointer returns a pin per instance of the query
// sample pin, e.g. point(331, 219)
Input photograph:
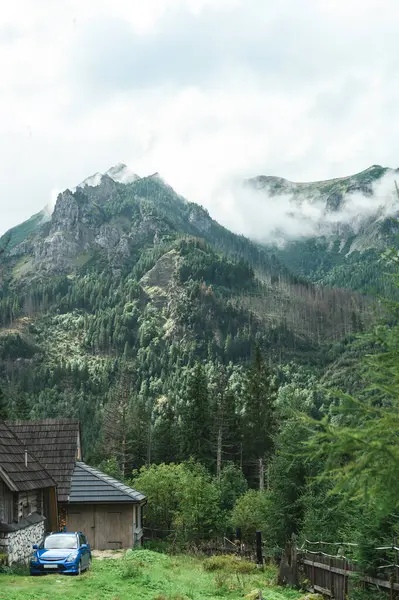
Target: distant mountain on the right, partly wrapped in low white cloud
point(341, 227)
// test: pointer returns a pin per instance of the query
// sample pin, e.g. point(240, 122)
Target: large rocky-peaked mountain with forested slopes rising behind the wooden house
point(132, 276)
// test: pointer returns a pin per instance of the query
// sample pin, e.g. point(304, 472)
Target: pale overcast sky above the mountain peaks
point(199, 90)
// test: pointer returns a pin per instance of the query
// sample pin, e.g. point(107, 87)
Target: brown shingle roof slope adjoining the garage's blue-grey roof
point(54, 442)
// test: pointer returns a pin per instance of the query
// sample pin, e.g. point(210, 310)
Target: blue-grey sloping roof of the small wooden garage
point(91, 485)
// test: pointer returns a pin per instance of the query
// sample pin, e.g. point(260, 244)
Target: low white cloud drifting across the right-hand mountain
point(271, 218)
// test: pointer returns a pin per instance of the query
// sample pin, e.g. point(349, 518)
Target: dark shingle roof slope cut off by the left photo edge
point(20, 472)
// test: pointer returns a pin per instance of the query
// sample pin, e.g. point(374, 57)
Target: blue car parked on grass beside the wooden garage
point(67, 553)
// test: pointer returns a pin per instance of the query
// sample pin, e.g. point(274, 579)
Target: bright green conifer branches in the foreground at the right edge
point(358, 439)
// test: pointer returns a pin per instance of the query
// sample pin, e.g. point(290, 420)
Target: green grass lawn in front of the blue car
point(147, 575)
